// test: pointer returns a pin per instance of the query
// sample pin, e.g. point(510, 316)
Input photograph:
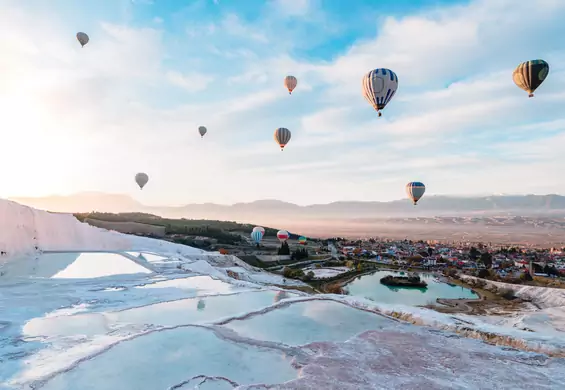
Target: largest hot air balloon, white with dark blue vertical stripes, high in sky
point(379, 86)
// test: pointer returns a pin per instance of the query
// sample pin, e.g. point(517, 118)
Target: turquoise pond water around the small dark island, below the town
point(369, 286)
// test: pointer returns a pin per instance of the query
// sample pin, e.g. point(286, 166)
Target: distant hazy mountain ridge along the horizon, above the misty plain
point(428, 206)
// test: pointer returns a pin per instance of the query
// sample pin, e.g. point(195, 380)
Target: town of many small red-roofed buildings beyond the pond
point(462, 255)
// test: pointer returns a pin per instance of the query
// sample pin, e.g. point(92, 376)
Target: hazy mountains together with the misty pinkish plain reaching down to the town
point(529, 219)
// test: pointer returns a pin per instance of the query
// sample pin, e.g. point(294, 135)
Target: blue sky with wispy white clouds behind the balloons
point(78, 119)
